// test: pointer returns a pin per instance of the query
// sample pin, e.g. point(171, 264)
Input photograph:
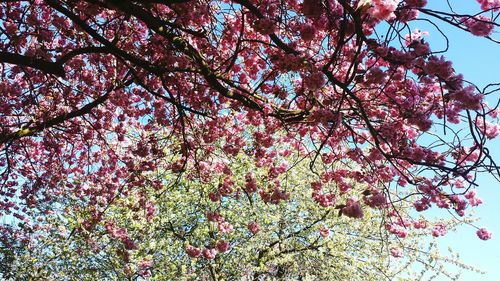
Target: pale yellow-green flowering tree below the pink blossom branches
point(195, 237)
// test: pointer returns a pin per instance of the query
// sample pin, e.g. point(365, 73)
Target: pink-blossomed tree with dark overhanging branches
point(97, 95)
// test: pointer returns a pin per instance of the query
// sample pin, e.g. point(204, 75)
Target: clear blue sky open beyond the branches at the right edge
point(478, 60)
